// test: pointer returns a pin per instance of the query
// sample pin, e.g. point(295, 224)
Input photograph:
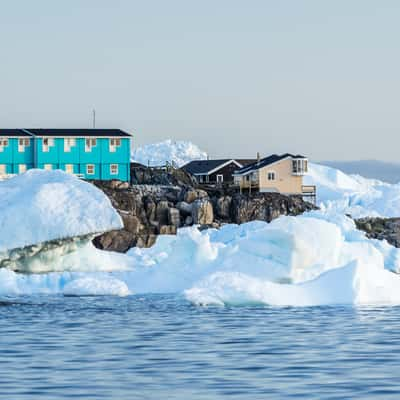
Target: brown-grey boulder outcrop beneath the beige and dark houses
point(151, 210)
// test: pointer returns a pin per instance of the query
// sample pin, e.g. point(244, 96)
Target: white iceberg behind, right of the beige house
point(353, 194)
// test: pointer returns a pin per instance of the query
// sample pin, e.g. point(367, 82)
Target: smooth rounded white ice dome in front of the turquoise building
point(40, 206)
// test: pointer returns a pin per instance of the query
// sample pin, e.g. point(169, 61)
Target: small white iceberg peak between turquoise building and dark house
point(179, 152)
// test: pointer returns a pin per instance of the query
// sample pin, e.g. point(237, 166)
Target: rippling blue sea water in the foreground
point(163, 347)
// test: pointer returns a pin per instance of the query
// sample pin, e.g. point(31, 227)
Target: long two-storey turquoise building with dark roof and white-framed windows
point(88, 153)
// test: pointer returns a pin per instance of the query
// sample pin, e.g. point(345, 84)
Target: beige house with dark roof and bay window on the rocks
point(276, 173)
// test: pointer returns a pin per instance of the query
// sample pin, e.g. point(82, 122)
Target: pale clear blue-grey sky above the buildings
point(236, 77)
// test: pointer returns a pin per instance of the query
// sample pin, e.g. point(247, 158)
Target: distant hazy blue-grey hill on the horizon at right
point(384, 171)
